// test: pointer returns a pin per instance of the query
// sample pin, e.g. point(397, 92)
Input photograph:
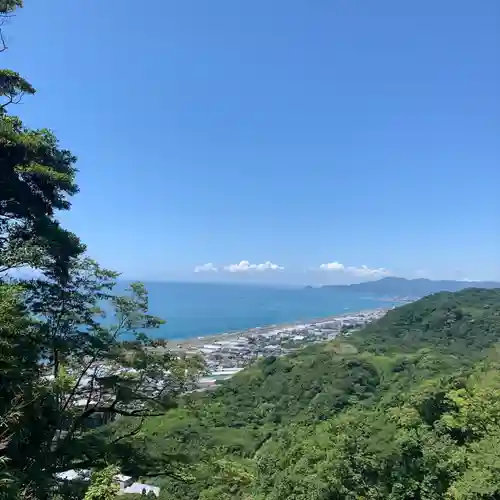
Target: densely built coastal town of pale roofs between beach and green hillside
point(227, 354)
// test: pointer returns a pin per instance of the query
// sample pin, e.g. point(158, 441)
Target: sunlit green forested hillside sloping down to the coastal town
point(408, 408)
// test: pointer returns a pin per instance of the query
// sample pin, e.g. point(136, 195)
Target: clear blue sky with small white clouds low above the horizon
point(357, 133)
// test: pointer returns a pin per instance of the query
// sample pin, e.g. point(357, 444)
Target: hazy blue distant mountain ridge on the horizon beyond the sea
point(402, 287)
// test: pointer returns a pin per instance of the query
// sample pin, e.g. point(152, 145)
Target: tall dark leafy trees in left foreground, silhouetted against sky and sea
point(64, 366)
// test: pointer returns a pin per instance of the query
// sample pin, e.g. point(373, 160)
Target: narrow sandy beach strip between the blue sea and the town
point(195, 342)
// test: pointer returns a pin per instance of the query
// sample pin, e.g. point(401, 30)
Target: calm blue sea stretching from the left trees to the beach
point(196, 309)
